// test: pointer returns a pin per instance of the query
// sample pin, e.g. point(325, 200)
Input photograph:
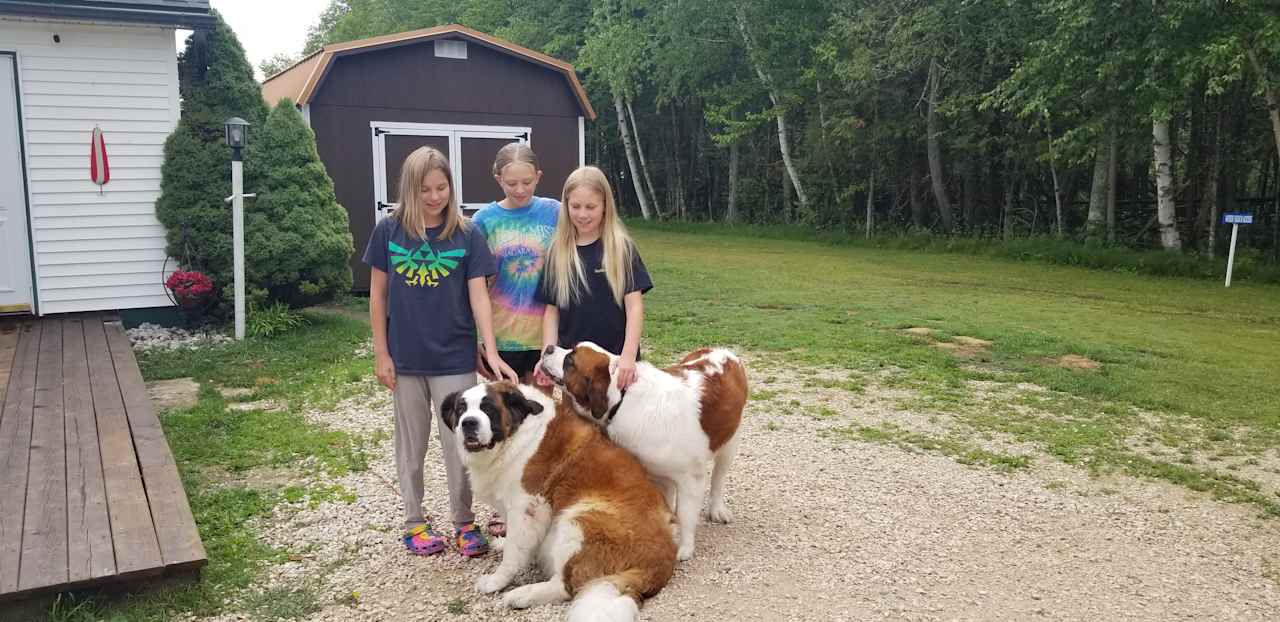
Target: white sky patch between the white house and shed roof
point(267, 28)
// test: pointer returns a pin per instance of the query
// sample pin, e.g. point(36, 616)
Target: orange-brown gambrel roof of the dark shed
point(301, 81)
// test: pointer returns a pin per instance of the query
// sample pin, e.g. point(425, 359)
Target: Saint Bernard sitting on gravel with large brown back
point(574, 501)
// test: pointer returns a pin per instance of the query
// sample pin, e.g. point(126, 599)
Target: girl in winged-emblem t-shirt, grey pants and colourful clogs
point(427, 301)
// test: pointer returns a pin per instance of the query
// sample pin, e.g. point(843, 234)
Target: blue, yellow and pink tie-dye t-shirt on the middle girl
point(519, 240)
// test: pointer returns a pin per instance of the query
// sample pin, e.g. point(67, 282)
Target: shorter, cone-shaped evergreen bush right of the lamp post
point(298, 244)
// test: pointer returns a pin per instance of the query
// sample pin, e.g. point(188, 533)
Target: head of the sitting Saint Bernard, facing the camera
point(487, 415)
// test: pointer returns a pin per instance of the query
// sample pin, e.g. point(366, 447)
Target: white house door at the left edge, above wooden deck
point(15, 253)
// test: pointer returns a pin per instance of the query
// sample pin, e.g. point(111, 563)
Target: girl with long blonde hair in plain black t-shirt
point(595, 277)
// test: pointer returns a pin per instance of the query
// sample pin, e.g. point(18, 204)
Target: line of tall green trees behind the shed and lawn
point(1112, 122)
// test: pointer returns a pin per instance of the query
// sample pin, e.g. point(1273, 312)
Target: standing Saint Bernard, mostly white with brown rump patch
point(675, 420)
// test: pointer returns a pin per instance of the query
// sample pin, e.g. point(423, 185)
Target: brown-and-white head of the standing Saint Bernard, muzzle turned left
point(587, 376)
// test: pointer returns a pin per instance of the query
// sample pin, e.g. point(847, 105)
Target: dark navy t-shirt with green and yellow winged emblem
point(431, 331)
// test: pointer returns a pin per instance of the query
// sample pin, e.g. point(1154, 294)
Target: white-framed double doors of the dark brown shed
point(470, 150)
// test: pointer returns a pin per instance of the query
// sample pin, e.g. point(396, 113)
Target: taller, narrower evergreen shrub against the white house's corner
point(216, 83)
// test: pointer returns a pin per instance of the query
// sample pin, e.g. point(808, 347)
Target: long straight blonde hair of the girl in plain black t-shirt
point(565, 272)
